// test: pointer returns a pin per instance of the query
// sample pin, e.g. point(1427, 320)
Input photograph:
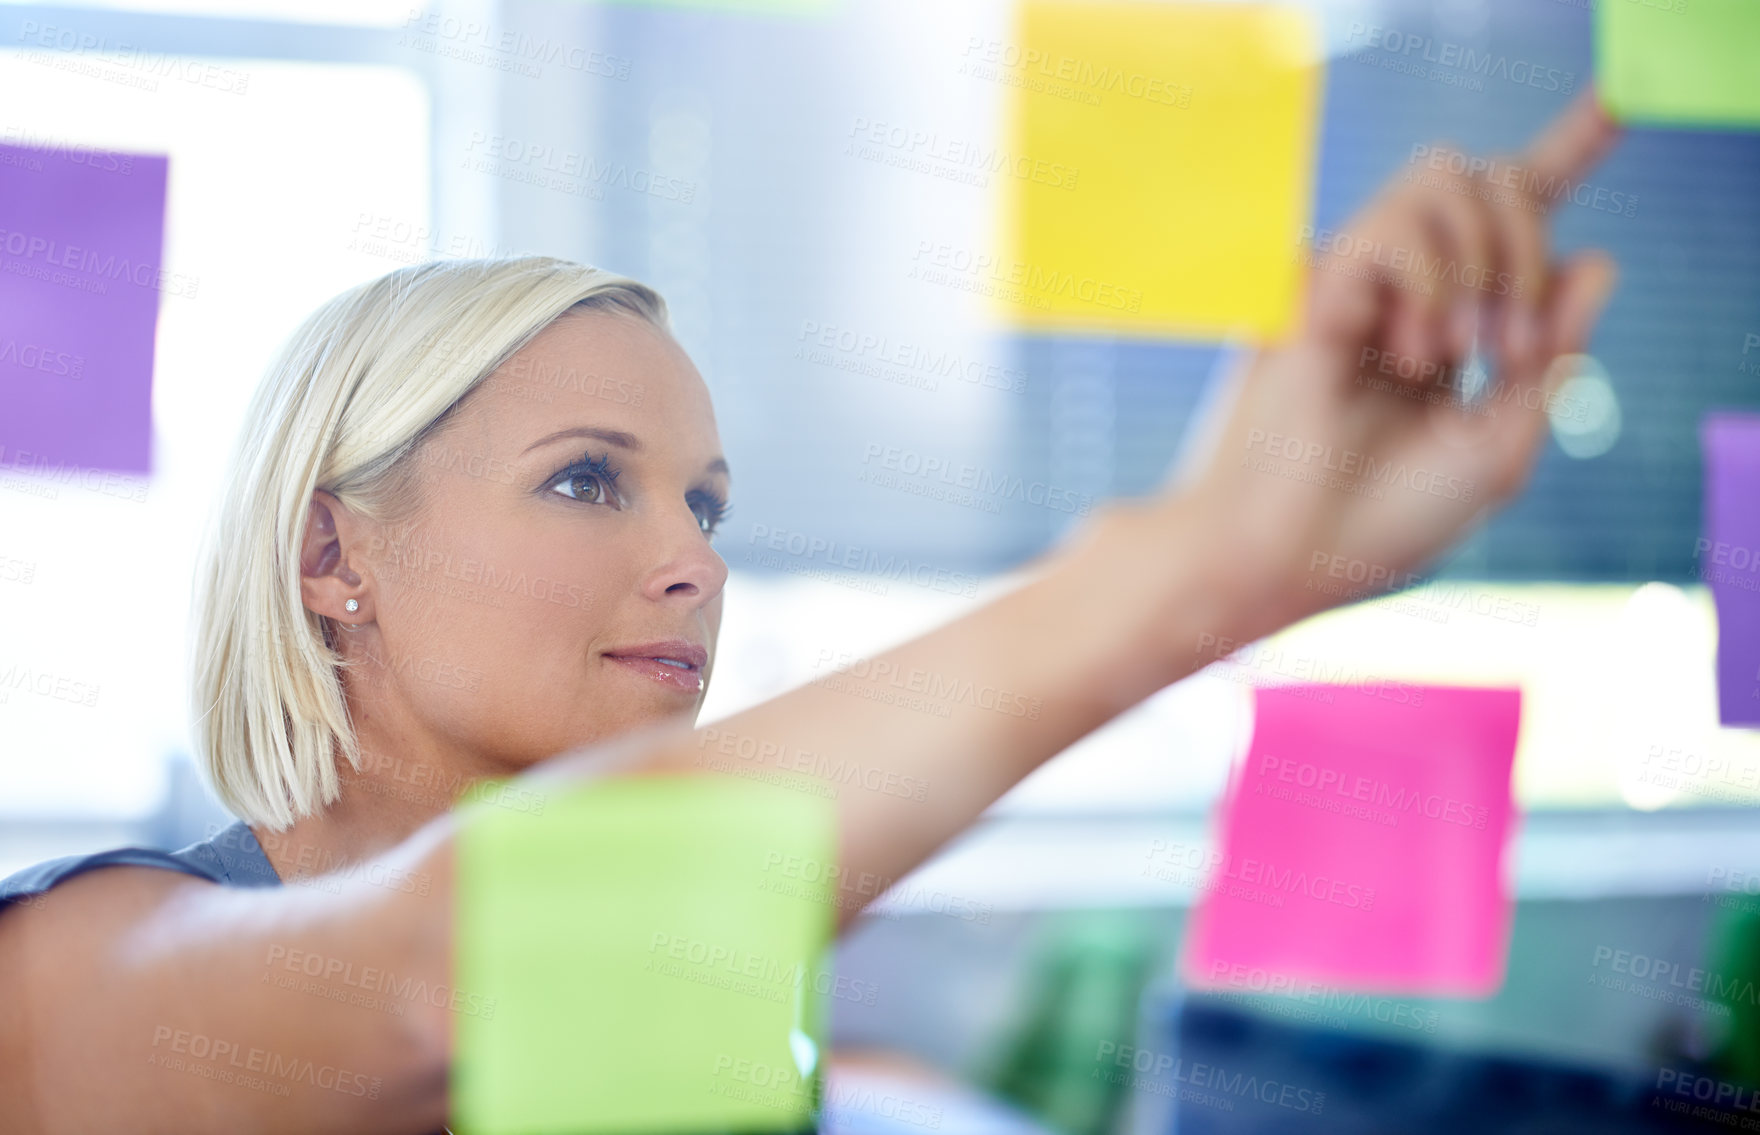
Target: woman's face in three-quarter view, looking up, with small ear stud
point(557, 569)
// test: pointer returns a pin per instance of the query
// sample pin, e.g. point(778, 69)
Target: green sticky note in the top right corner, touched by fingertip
point(1680, 62)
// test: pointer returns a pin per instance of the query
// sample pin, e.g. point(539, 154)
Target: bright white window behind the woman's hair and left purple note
point(265, 214)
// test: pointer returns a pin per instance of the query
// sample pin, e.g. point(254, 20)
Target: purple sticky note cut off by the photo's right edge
point(1729, 559)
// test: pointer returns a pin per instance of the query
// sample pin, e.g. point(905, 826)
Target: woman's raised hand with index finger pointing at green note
point(1347, 458)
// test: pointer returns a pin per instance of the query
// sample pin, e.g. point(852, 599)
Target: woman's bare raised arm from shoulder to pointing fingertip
point(143, 1000)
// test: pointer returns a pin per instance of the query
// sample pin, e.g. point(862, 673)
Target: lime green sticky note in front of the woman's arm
point(643, 955)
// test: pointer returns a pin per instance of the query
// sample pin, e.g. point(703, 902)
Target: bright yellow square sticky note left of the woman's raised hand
point(1159, 166)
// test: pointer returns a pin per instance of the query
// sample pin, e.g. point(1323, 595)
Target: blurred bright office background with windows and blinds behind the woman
point(714, 150)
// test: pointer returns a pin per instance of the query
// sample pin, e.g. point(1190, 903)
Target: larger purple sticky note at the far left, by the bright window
point(82, 238)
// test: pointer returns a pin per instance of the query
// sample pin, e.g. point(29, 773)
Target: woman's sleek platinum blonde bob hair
point(349, 399)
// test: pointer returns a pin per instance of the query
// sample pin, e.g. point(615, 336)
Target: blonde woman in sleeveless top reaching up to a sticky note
point(448, 553)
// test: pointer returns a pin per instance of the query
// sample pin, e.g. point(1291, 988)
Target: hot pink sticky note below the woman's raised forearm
point(1363, 842)
